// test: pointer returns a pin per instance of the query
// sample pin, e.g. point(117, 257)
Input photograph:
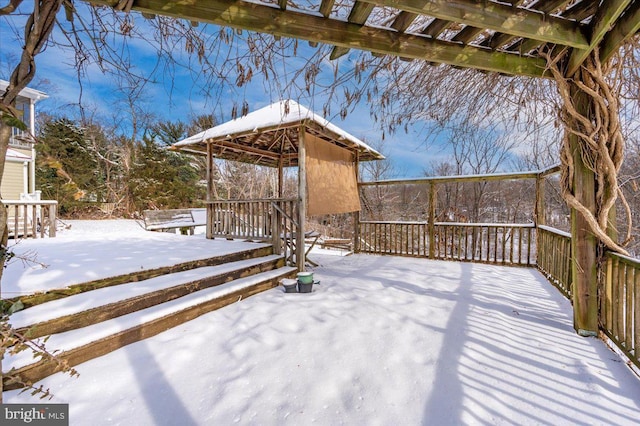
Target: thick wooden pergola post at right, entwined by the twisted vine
point(584, 245)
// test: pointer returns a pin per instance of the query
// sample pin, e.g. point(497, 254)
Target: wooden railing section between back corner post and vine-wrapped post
point(554, 257)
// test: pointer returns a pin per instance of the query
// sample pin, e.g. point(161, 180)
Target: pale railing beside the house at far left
point(30, 219)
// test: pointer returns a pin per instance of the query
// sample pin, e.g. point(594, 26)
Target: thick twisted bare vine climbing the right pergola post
point(599, 140)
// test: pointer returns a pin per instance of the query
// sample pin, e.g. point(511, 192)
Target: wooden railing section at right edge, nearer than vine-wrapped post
point(620, 304)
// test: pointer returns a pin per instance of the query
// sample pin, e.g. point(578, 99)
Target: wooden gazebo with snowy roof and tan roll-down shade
point(283, 134)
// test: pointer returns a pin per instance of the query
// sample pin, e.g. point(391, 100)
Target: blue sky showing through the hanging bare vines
point(180, 96)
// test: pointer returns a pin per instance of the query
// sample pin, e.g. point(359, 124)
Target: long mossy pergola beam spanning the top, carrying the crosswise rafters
point(261, 18)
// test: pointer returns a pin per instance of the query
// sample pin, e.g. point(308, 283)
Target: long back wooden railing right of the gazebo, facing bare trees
point(504, 244)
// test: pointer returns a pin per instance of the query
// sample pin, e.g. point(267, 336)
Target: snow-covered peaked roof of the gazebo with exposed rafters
point(271, 134)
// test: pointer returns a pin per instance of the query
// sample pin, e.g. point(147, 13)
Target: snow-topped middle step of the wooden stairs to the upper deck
point(106, 303)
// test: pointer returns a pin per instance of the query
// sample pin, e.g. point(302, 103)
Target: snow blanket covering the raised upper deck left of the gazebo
point(91, 250)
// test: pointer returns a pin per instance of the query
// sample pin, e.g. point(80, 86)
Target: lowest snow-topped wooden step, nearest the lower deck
point(80, 345)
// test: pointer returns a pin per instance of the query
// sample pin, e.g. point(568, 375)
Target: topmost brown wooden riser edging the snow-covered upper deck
point(38, 298)
